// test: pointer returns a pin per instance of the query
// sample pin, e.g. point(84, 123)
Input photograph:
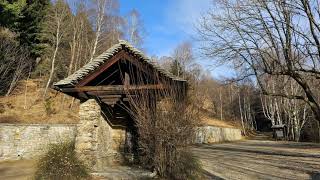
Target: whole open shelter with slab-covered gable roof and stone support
point(107, 87)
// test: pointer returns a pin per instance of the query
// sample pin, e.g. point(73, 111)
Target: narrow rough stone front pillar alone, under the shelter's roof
point(87, 132)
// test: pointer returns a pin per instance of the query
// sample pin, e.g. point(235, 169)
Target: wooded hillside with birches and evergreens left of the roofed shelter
point(43, 41)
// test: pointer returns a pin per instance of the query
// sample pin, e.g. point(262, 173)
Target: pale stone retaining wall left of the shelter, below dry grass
point(26, 141)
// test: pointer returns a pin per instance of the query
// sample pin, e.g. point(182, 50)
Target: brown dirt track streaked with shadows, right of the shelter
point(253, 159)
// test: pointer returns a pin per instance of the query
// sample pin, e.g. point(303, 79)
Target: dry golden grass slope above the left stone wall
point(26, 105)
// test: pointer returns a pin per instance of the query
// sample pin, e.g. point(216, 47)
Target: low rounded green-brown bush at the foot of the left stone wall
point(61, 162)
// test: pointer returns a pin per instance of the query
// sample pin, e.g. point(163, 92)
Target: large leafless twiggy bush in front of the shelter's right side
point(164, 139)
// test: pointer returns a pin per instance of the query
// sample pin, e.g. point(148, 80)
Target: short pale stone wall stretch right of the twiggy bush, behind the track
point(211, 134)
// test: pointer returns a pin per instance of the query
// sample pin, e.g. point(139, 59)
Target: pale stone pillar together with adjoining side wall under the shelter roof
point(98, 143)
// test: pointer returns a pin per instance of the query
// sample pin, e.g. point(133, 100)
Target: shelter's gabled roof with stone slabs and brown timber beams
point(115, 73)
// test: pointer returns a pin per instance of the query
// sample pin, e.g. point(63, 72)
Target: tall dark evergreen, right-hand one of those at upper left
point(30, 25)
